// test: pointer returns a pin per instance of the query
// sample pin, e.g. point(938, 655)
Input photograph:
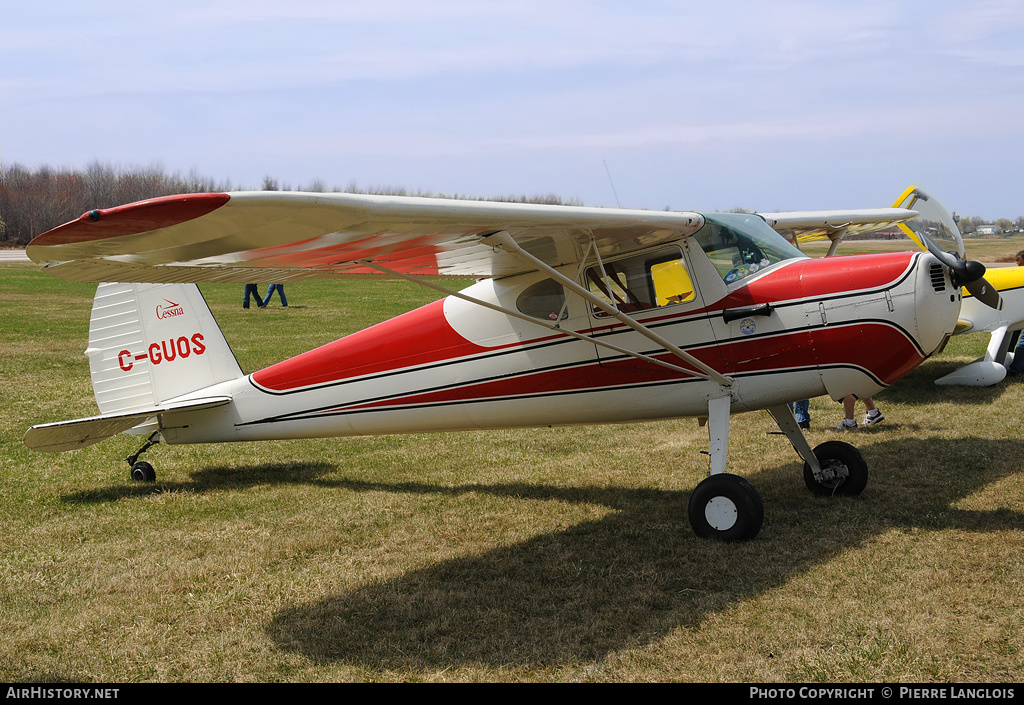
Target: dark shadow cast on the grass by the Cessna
point(635, 575)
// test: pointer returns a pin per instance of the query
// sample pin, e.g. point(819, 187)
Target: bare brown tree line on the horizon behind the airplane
point(35, 201)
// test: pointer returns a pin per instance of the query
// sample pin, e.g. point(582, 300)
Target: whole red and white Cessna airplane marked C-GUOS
point(583, 316)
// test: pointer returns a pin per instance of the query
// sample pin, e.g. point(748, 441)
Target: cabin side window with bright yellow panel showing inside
point(644, 282)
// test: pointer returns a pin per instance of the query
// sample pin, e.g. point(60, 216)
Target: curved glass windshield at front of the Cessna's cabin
point(742, 244)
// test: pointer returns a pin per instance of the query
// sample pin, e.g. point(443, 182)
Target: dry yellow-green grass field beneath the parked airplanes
point(522, 556)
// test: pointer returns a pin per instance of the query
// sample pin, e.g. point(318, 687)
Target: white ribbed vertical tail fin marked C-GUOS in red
point(153, 343)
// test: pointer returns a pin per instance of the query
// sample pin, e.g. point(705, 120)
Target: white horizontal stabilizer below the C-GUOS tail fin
point(70, 436)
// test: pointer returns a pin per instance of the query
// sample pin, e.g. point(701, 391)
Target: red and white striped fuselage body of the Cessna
point(835, 326)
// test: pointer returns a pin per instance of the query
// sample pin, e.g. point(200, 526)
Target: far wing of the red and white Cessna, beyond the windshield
point(803, 227)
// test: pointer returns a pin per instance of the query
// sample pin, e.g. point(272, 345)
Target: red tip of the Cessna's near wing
point(133, 219)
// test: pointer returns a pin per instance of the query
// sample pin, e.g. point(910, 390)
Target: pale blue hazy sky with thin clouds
point(788, 105)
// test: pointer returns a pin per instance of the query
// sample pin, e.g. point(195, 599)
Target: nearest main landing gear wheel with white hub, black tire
point(727, 508)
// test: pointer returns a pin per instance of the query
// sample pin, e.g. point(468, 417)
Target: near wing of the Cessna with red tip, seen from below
point(284, 236)
